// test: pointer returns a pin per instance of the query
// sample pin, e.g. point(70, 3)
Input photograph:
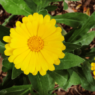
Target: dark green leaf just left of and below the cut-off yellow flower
point(87, 81)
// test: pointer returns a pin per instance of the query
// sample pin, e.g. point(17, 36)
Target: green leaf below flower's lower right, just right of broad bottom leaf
point(59, 76)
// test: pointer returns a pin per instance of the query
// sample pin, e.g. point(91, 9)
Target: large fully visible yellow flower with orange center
point(35, 45)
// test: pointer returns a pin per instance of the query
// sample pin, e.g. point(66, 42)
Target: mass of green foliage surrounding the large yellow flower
point(74, 69)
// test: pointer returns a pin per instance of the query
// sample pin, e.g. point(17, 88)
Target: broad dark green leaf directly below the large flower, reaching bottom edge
point(42, 84)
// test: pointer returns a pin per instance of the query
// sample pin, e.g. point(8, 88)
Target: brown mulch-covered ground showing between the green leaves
point(83, 6)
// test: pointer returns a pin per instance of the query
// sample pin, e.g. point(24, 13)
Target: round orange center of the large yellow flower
point(35, 43)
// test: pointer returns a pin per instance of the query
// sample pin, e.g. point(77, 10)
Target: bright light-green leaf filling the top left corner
point(16, 7)
